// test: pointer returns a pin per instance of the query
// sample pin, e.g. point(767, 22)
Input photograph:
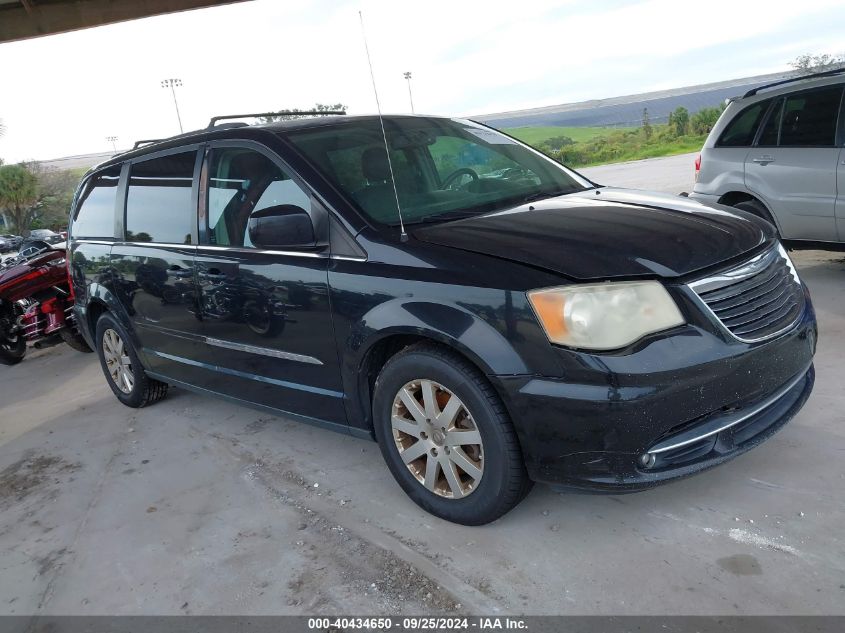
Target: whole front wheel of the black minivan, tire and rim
point(446, 436)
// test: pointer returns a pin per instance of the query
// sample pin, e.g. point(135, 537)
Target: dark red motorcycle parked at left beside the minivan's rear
point(35, 304)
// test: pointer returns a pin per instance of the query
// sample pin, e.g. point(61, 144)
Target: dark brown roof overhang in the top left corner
point(23, 19)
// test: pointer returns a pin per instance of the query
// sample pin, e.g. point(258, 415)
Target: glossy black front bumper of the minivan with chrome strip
point(673, 407)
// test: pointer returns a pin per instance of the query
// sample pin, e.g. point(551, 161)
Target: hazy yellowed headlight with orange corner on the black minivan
point(604, 316)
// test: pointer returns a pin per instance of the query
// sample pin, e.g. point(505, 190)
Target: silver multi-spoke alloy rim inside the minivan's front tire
point(437, 439)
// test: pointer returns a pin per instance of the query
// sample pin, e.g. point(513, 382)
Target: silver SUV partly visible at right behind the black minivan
point(777, 152)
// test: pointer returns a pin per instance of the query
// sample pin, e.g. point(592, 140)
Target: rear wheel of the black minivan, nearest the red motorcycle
point(122, 368)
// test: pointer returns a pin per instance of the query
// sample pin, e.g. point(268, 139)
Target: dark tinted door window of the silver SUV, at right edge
point(809, 118)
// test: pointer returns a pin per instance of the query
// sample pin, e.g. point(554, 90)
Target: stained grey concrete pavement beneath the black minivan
point(198, 506)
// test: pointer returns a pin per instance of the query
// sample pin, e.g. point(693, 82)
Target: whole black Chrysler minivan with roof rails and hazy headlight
point(489, 316)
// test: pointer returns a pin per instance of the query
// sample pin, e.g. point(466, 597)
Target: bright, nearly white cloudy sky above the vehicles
point(65, 94)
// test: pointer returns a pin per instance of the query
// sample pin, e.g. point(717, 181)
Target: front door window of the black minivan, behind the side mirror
point(240, 183)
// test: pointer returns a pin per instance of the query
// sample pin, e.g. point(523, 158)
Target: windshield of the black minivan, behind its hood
point(444, 168)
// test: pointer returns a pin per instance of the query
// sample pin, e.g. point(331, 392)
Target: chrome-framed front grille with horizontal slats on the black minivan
point(757, 300)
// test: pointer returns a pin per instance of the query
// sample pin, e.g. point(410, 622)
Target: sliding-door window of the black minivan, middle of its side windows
point(158, 204)
